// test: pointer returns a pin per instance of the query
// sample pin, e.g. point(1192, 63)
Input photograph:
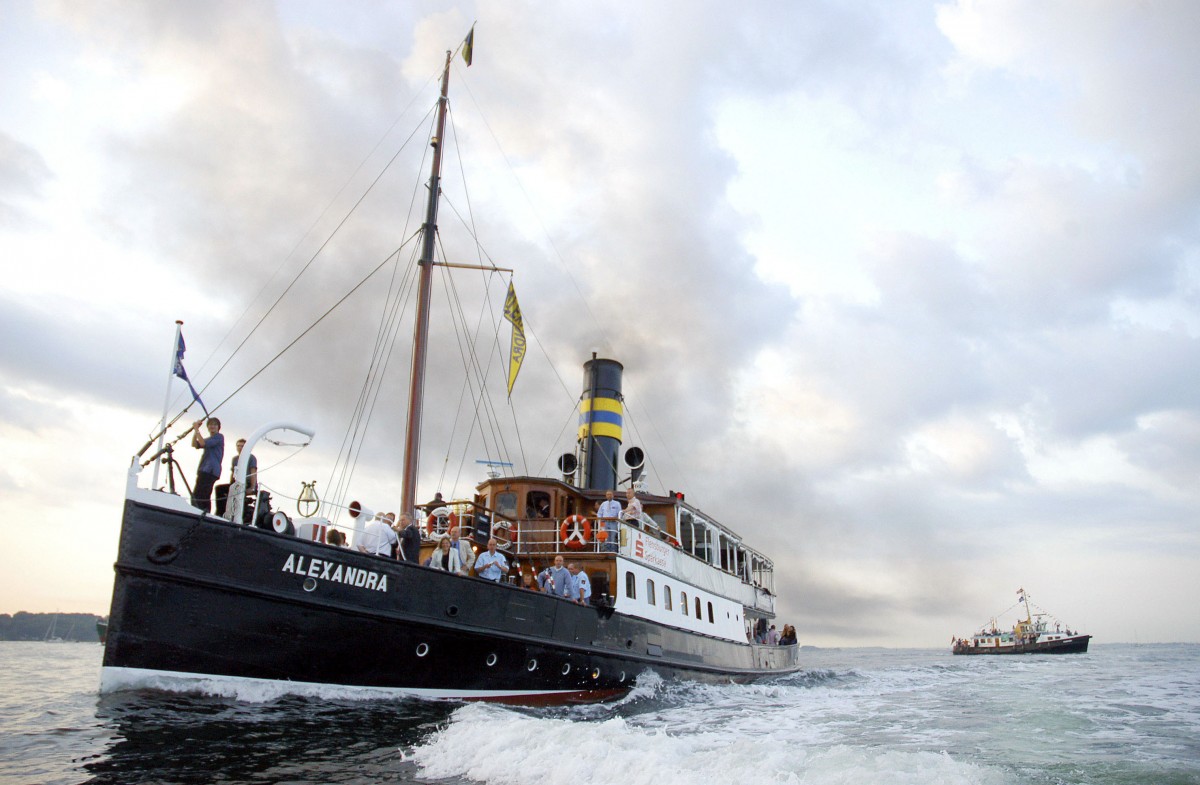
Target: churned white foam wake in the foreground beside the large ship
point(501, 747)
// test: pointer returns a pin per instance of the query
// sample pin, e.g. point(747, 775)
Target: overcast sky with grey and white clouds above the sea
point(908, 293)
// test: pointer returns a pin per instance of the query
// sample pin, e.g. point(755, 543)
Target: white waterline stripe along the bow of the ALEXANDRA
point(115, 680)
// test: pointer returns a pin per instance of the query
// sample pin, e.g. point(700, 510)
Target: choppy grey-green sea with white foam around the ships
point(1119, 715)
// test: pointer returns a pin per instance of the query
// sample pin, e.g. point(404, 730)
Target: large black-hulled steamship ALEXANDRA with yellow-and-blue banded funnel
point(261, 595)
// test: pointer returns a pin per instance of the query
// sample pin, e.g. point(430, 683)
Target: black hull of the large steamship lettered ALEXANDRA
point(195, 597)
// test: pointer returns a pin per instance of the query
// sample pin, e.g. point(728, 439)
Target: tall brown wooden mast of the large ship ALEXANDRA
point(422, 329)
